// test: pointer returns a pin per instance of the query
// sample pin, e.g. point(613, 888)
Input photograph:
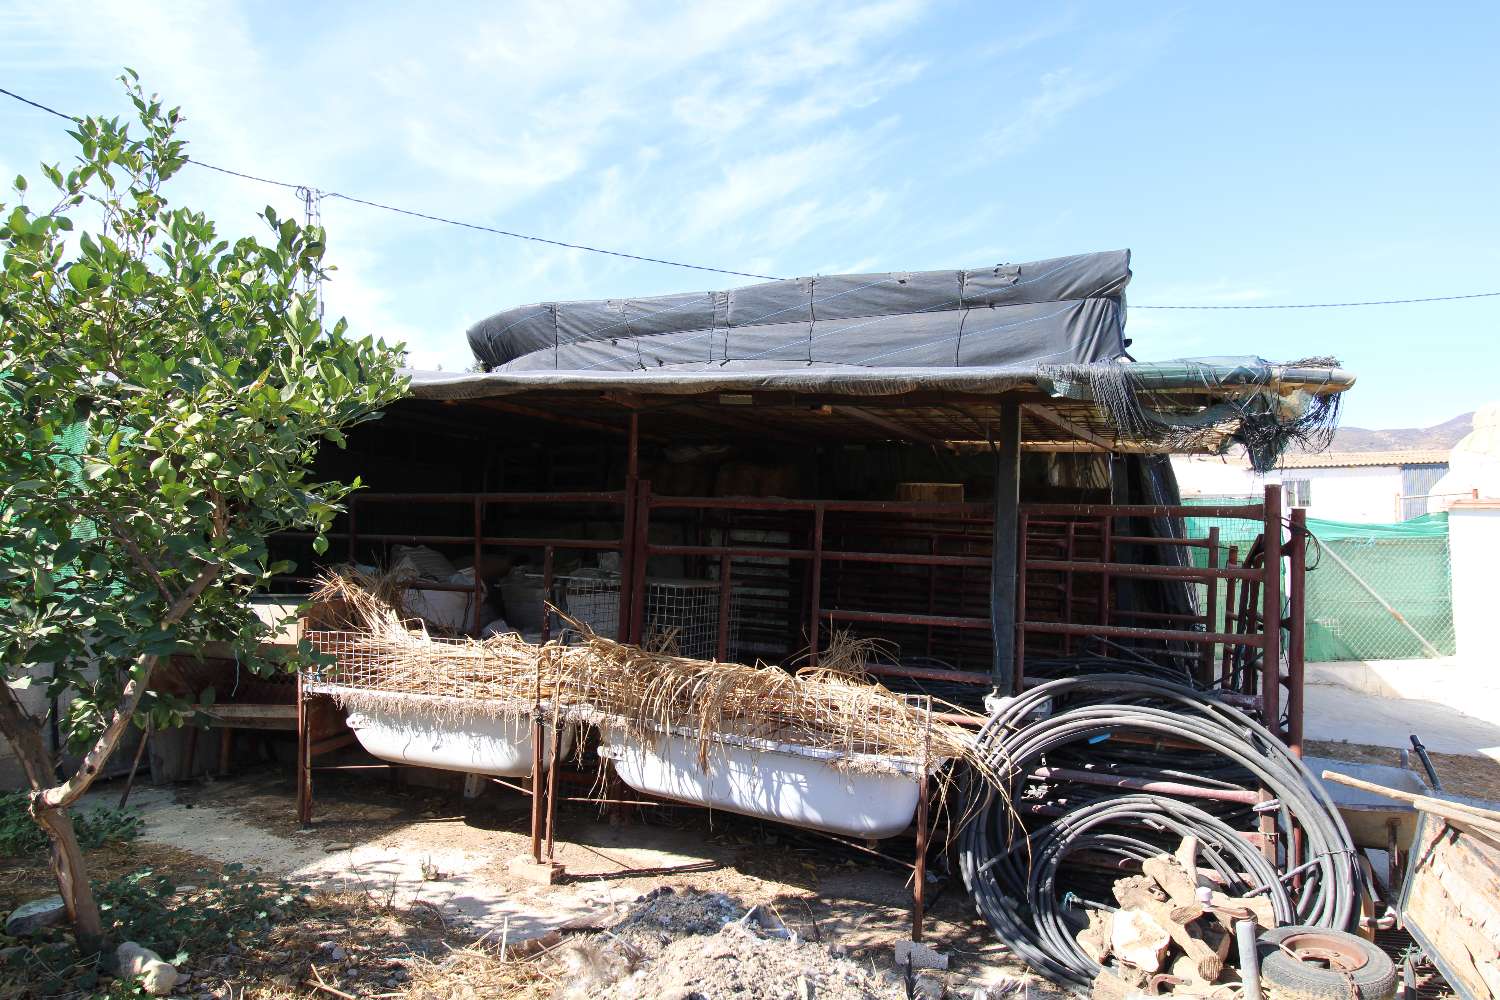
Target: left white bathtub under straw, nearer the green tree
point(412, 731)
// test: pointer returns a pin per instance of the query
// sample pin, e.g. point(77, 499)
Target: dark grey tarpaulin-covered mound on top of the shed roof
point(1066, 311)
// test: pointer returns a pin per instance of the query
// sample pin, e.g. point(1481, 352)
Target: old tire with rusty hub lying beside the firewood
point(1325, 965)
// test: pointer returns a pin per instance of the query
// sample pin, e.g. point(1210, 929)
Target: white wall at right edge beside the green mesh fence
point(1475, 555)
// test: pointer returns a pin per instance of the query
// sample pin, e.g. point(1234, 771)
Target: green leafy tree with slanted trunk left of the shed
point(163, 395)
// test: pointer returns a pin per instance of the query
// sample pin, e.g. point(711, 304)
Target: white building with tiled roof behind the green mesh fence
point(1357, 487)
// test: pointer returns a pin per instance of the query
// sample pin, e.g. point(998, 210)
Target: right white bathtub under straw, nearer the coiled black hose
point(776, 782)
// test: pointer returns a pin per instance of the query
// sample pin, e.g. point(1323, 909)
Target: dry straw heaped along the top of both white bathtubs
point(388, 660)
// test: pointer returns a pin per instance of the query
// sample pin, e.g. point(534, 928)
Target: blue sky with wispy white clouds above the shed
point(1247, 154)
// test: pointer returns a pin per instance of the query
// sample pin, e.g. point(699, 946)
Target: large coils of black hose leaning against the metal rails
point(1012, 873)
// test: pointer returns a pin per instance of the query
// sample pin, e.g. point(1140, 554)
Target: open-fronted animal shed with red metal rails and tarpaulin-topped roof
point(967, 466)
